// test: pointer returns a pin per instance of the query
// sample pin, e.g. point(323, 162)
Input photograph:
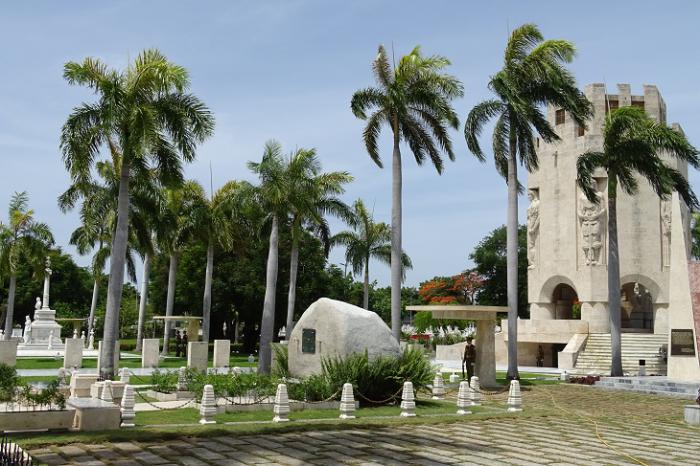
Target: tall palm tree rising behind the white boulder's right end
point(414, 99)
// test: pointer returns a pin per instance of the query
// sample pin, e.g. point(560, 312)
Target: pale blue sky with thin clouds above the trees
point(286, 70)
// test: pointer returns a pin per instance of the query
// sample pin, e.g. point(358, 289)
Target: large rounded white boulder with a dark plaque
point(330, 328)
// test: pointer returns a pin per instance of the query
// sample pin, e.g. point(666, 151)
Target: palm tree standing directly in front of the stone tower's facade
point(632, 142)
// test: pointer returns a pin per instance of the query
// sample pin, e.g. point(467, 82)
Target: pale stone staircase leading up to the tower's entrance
point(595, 358)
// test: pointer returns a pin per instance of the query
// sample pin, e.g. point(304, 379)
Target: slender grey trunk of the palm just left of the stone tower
point(512, 261)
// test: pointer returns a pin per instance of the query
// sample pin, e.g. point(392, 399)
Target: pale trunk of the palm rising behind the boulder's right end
point(396, 239)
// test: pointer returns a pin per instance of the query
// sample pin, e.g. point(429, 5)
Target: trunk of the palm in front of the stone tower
point(614, 283)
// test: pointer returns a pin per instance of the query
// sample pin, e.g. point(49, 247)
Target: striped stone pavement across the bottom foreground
point(520, 441)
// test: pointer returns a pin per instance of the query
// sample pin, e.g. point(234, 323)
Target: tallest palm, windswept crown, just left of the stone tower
point(533, 75)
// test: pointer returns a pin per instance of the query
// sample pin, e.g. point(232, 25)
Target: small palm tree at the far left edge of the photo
point(22, 238)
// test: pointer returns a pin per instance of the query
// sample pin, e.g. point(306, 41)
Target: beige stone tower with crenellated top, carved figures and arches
point(567, 243)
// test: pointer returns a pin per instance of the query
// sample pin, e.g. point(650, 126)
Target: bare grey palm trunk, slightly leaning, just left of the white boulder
point(267, 326)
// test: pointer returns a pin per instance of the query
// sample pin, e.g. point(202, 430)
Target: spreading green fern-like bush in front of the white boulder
point(379, 380)
